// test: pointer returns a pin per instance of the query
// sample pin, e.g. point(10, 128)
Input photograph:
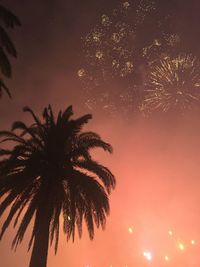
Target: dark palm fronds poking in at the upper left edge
point(8, 20)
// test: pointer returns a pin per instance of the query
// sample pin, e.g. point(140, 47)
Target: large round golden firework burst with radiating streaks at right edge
point(173, 85)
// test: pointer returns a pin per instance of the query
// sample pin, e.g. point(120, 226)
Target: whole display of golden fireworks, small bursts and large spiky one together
point(115, 51)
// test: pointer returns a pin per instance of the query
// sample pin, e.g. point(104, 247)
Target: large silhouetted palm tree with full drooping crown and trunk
point(48, 172)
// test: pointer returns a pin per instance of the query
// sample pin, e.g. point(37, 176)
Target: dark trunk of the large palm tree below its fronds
point(41, 240)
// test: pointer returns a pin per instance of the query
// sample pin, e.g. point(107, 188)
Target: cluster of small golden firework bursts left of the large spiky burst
point(116, 53)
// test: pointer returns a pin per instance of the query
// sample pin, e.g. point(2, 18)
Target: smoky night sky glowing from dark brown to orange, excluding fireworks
point(155, 160)
